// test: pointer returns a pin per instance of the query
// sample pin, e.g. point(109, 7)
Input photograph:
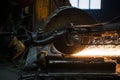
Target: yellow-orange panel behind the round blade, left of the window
point(44, 7)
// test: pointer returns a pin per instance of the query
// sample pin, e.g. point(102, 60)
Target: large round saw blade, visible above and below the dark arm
point(71, 42)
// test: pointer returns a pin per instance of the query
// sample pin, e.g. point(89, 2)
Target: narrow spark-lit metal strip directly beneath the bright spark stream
point(82, 58)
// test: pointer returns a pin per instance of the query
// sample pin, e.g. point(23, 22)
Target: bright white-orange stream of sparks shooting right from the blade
point(100, 50)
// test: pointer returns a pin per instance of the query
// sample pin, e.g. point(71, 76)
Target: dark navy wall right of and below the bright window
point(109, 9)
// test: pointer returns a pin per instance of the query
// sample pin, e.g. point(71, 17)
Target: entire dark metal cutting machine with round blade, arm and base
point(51, 54)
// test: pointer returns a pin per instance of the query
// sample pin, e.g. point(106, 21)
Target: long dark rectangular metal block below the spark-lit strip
point(80, 67)
